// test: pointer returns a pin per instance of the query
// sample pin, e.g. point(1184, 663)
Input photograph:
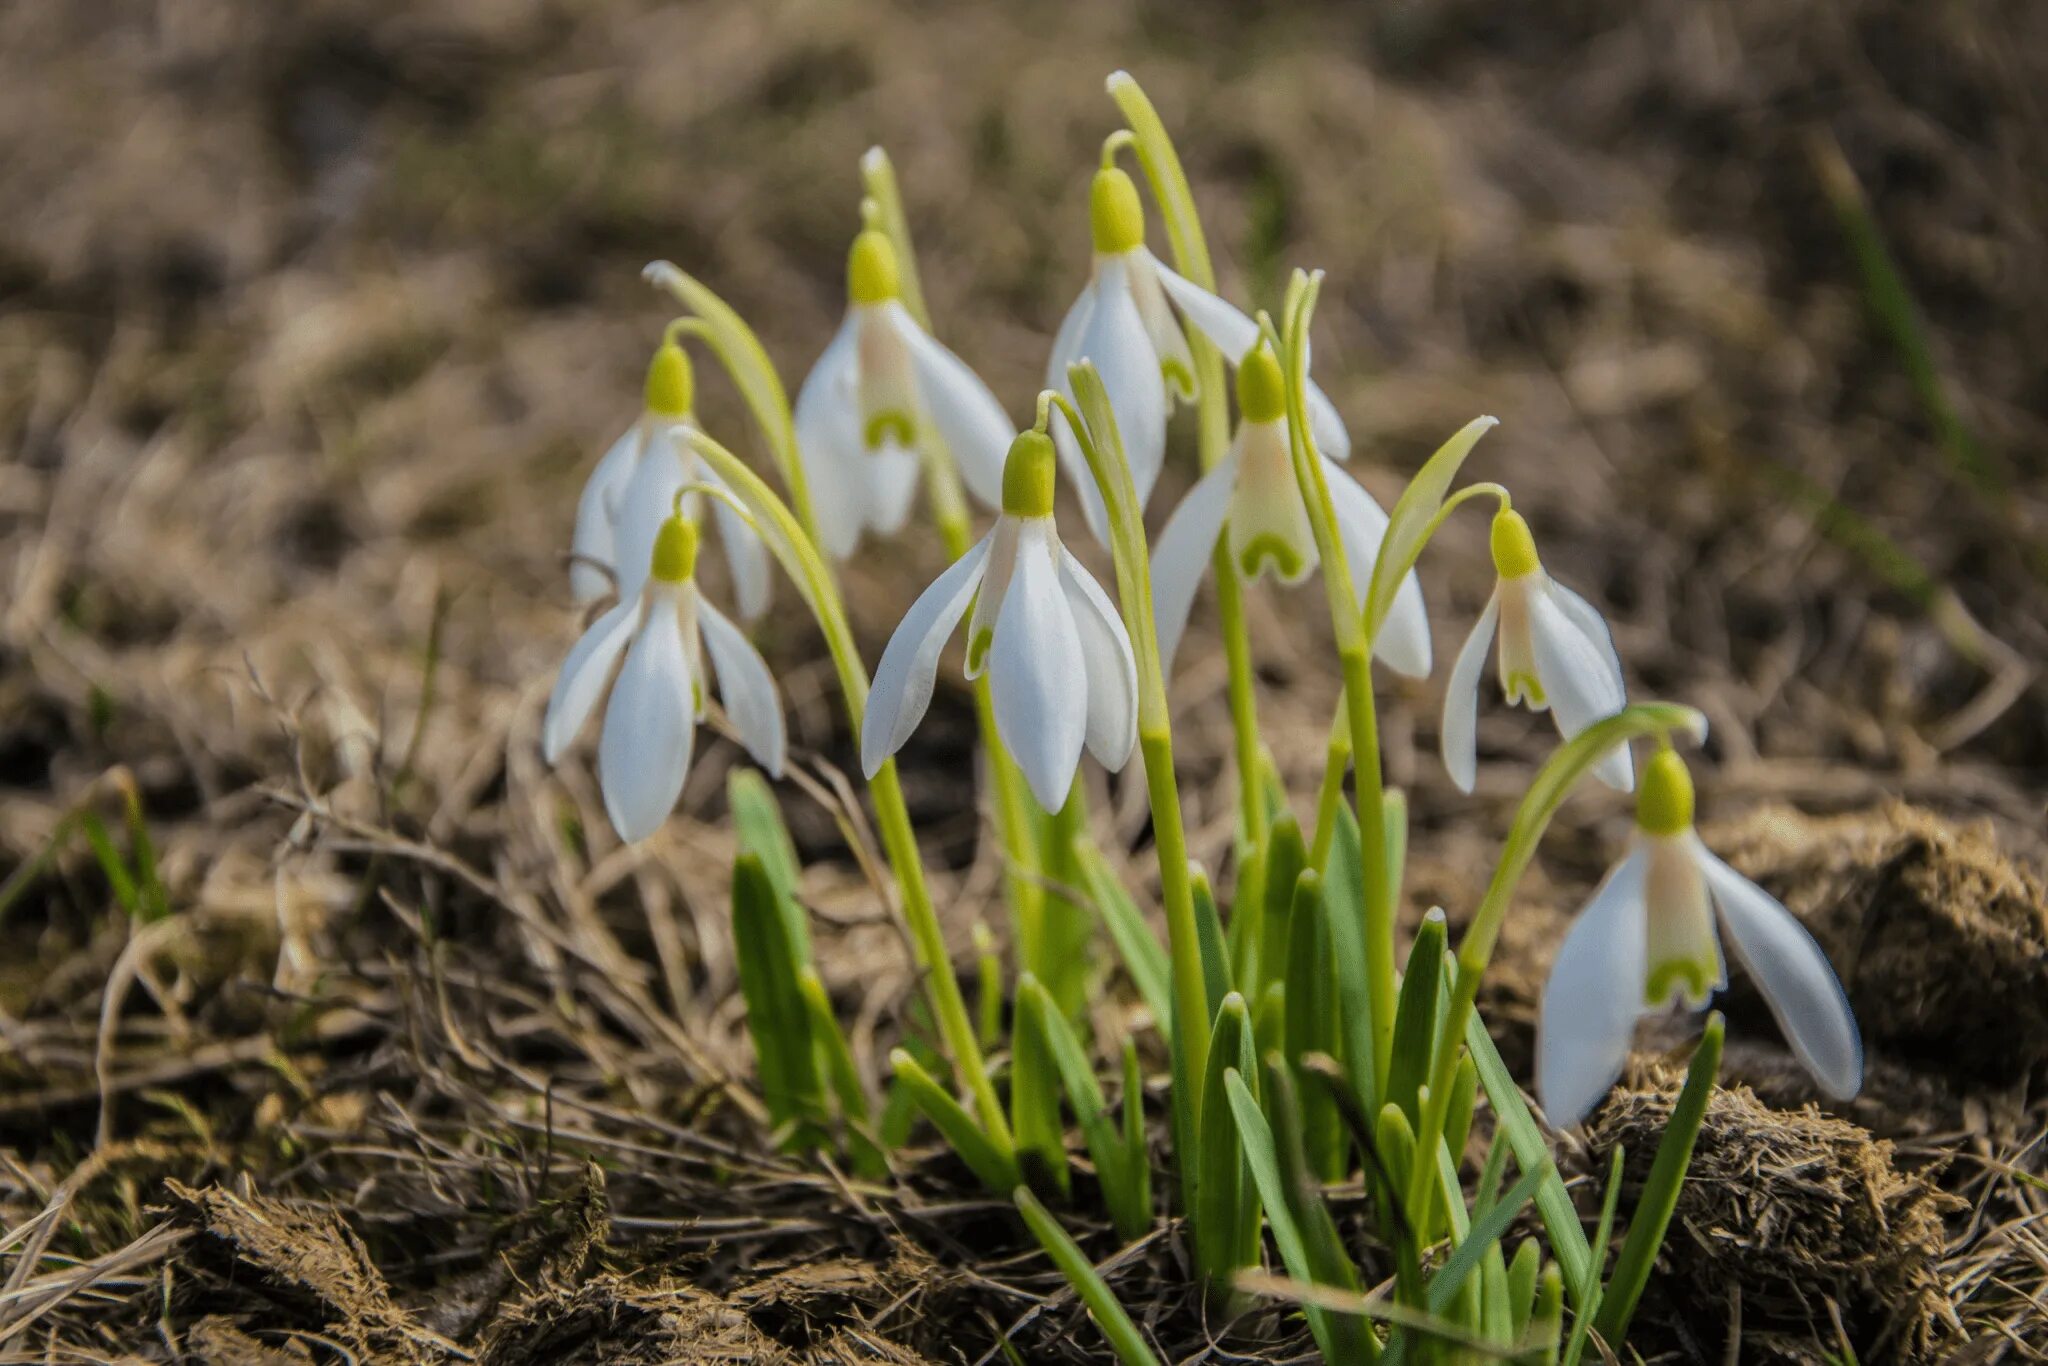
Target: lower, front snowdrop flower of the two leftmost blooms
point(665, 632)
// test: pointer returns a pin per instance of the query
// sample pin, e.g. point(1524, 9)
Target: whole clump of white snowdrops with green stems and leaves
point(1062, 671)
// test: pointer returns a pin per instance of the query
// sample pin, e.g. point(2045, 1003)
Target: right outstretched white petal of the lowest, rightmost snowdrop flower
point(1795, 978)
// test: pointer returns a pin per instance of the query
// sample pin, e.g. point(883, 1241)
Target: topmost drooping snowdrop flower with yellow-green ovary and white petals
point(1125, 327)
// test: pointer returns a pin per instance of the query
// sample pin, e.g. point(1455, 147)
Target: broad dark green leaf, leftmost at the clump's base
point(777, 1013)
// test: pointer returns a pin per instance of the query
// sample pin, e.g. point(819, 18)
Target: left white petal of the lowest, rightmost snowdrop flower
point(1594, 998)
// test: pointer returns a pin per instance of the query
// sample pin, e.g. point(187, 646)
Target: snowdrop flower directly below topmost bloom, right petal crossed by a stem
point(1254, 501)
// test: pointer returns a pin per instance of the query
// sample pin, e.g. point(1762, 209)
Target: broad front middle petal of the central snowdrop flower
point(1037, 679)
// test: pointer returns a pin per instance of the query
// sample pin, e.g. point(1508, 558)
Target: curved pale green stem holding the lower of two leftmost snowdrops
point(814, 579)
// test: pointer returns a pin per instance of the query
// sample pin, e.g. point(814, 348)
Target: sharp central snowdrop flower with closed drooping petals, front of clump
point(1060, 665)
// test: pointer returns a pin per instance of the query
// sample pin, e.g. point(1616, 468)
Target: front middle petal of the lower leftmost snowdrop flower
point(648, 726)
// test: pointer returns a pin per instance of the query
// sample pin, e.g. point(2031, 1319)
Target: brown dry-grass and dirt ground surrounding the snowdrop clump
point(312, 321)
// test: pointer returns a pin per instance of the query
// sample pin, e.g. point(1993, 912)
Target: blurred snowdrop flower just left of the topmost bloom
point(878, 398)
